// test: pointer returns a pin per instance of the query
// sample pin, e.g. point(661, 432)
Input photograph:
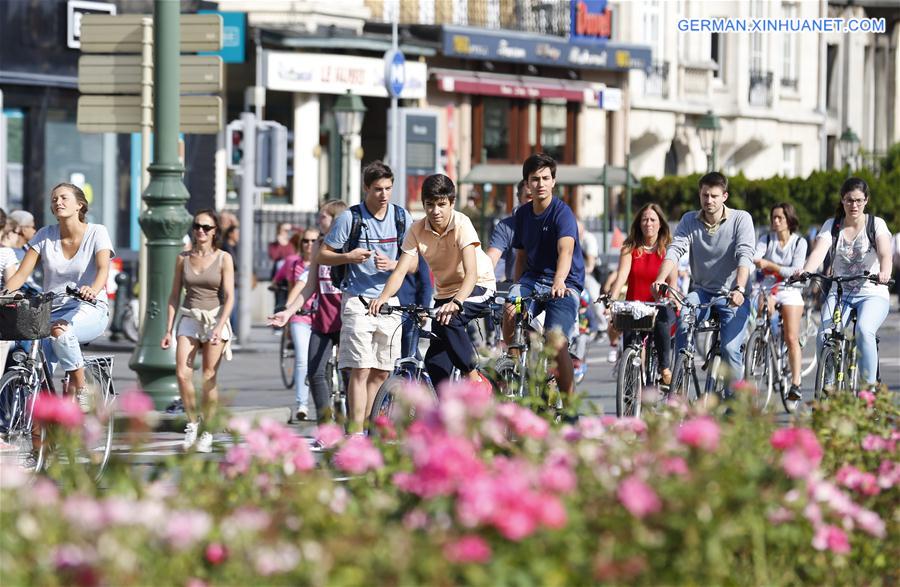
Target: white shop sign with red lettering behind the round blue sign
point(335, 74)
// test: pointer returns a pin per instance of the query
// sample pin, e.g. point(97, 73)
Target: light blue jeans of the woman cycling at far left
point(86, 322)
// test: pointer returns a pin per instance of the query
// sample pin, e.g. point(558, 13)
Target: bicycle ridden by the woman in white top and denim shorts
point(765, 358)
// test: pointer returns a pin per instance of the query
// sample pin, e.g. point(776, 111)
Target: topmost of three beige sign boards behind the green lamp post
point(122, 34)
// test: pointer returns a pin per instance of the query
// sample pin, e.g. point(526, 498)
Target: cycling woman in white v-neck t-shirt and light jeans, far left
point(73, 251)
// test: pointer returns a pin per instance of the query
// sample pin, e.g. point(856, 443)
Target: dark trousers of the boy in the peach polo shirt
point(451, 346)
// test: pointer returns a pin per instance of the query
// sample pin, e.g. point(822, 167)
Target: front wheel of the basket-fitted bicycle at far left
point(24, 445)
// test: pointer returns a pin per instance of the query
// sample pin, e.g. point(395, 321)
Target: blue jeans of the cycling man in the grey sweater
point(732, 330)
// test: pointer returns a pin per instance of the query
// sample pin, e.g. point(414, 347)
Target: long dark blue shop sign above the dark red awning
point(518, 48)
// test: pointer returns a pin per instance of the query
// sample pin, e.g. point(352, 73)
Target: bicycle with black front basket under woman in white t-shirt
point(30, 375)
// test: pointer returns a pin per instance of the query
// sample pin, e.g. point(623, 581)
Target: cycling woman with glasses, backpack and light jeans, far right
point(847, 236)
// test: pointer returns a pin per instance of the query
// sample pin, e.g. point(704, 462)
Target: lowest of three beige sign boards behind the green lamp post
point(122, 114)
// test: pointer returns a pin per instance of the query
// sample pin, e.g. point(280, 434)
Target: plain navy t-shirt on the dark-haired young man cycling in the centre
point(538, 236)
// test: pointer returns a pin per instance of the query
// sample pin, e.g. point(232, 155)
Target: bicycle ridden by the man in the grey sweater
point(684, 373)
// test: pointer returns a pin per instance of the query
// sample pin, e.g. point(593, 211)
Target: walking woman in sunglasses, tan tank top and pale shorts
point(207, 275)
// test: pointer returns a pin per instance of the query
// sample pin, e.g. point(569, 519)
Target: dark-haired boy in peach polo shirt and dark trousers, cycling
point(463, 278)
